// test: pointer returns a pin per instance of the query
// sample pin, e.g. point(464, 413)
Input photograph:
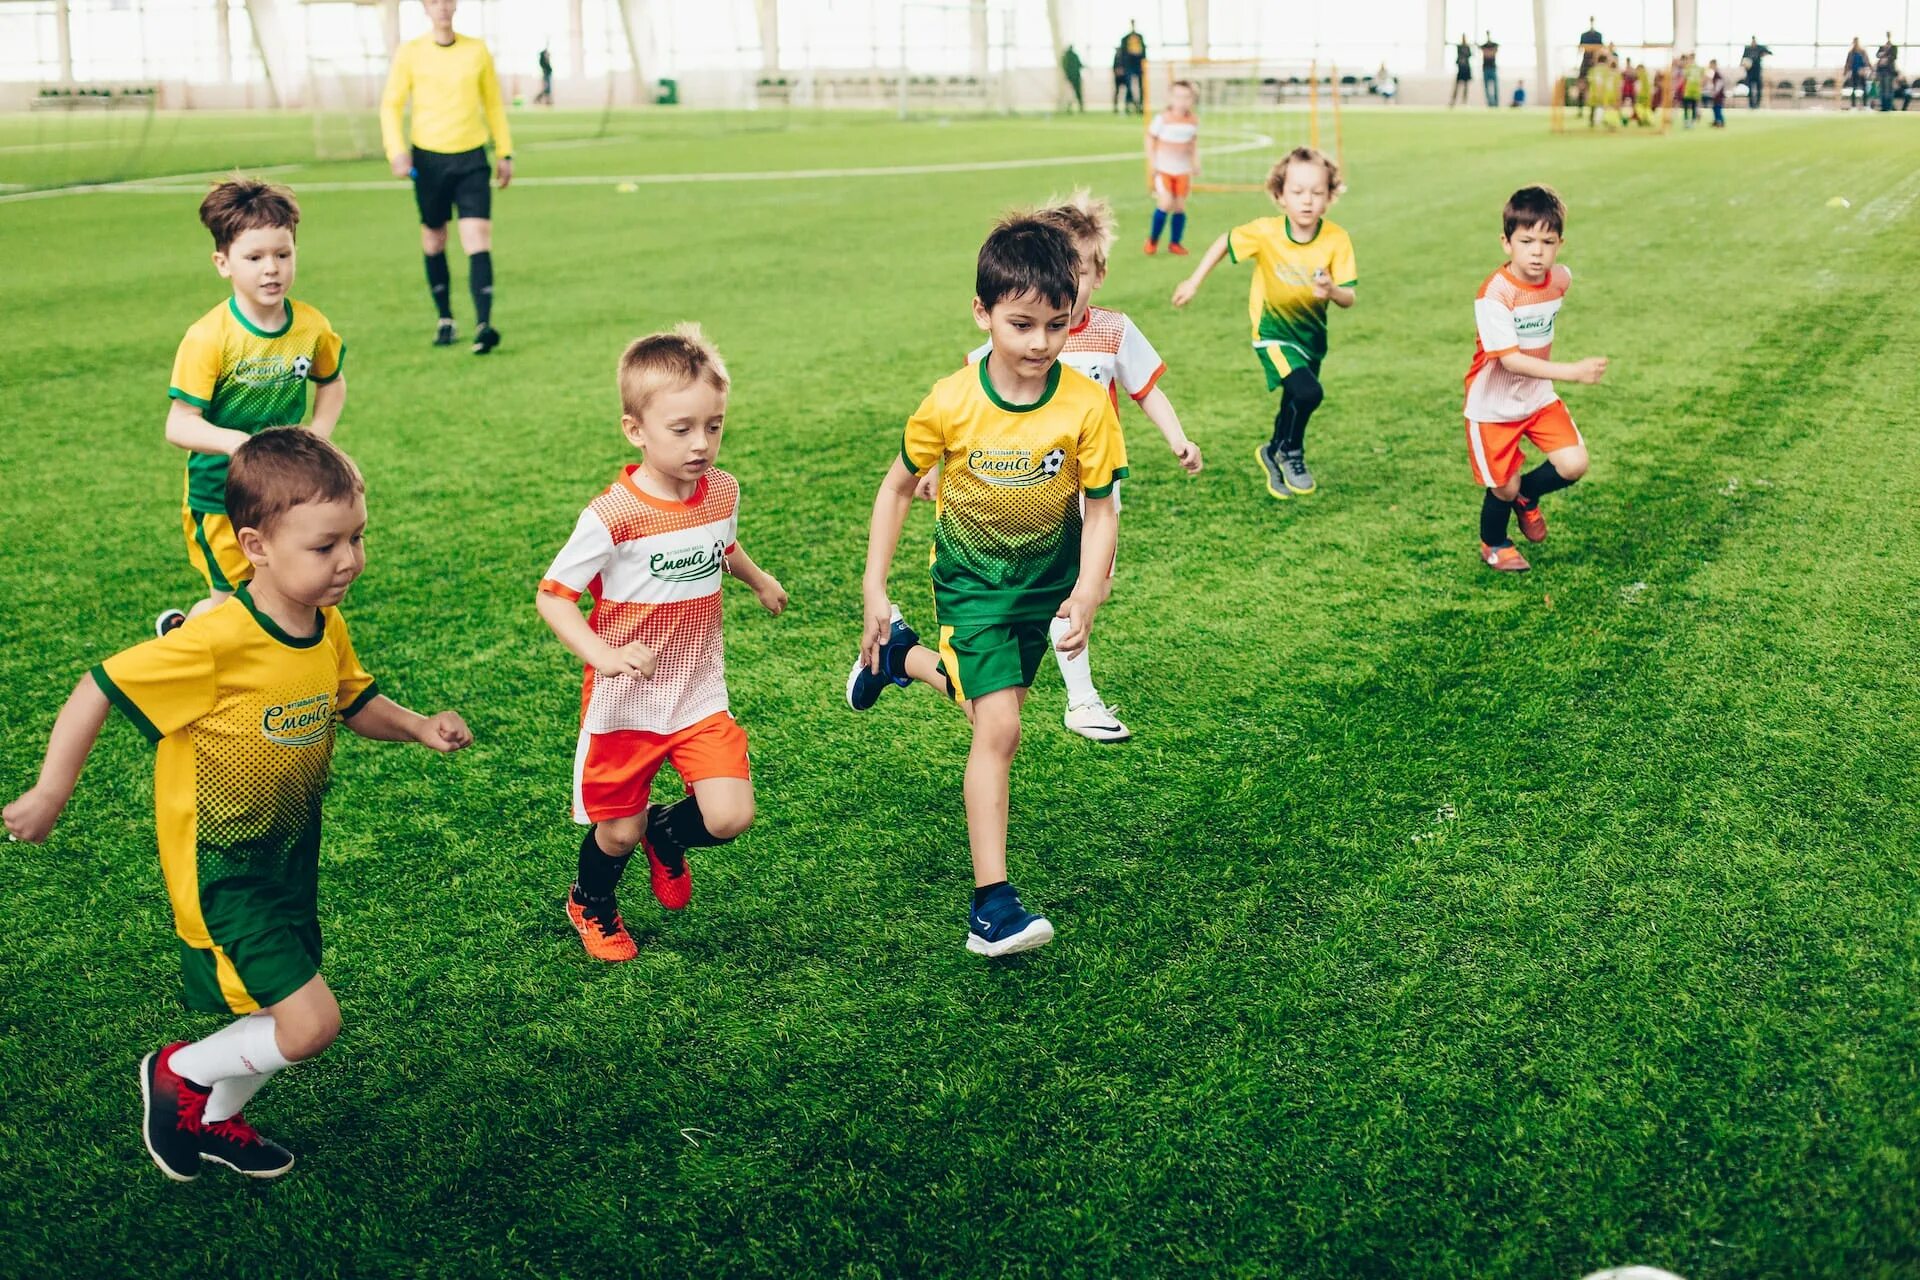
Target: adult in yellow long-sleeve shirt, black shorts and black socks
point(456, 108)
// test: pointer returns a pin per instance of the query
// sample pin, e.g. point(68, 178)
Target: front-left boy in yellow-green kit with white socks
point(241, 705)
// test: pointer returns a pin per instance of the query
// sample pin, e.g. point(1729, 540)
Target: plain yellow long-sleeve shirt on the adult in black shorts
point(456, 99)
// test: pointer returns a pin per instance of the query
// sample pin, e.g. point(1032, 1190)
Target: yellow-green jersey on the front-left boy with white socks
point(245, 719)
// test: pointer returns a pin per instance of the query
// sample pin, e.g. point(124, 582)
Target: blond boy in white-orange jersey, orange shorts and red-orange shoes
point(650, 552)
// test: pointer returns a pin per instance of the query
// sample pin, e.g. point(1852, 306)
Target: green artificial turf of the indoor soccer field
point(1435, 922)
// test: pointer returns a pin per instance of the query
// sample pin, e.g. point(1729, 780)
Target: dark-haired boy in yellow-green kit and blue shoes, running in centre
point(1019, 439)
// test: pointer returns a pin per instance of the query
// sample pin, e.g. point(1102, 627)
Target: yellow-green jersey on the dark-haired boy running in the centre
point(1007, 521)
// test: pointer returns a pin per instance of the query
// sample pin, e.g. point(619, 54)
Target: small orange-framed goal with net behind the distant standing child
point(1253, 112)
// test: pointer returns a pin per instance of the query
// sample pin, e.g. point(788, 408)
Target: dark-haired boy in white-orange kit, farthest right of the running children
point(1510, 385)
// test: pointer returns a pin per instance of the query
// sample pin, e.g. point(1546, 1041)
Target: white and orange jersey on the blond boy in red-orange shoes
point(654, 571)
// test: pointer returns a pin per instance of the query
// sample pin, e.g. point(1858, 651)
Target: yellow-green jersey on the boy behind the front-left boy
point(249, 379)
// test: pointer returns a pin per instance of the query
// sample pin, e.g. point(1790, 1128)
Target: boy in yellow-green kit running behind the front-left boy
point(245, 367)
